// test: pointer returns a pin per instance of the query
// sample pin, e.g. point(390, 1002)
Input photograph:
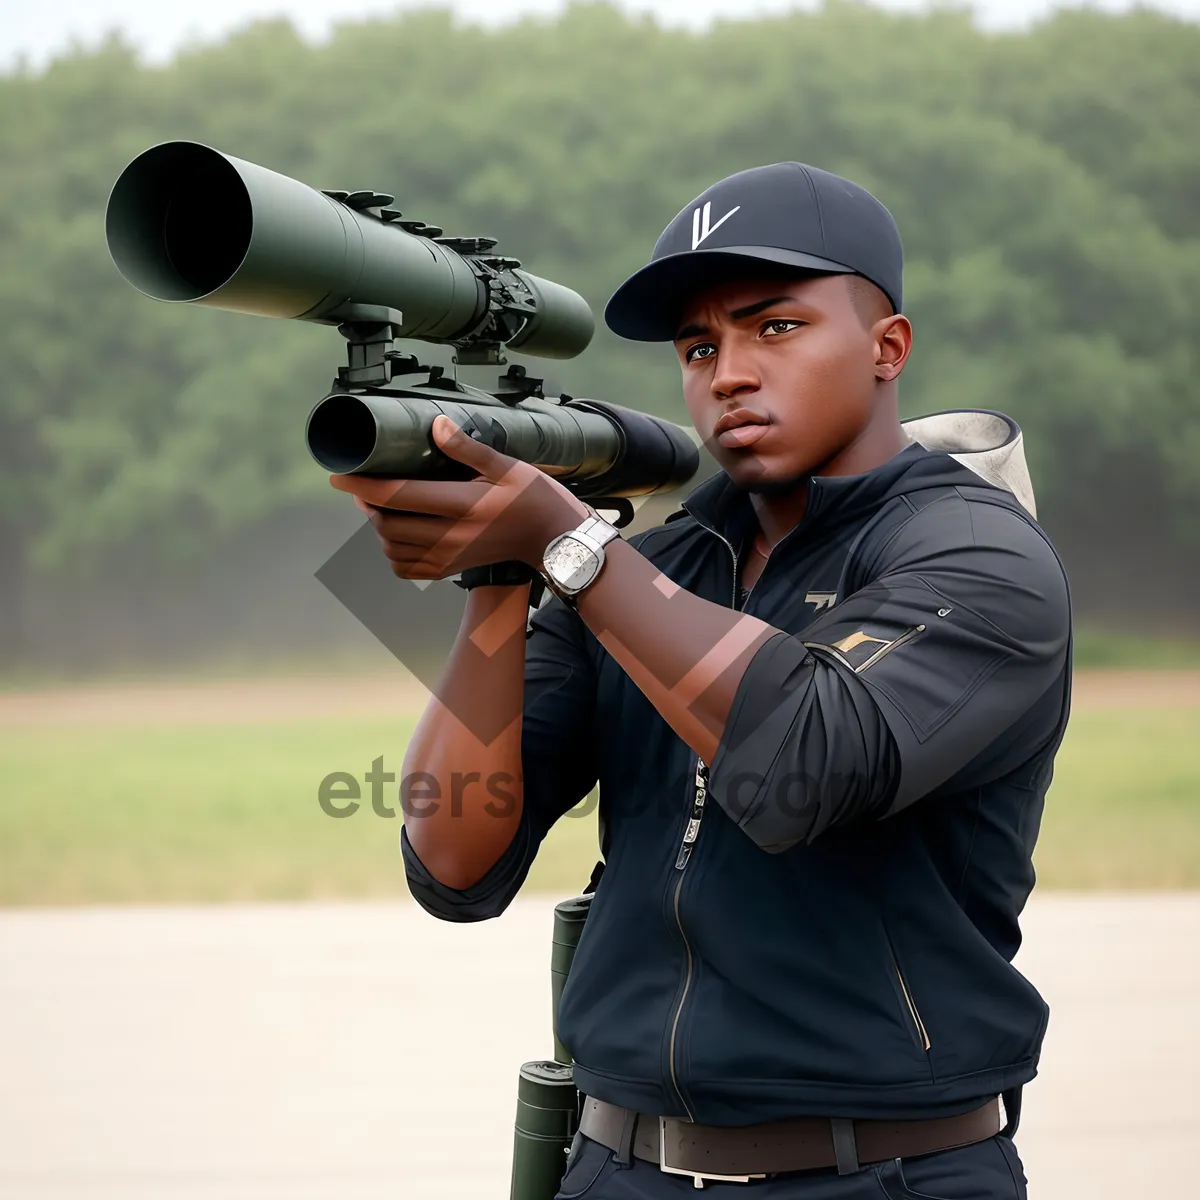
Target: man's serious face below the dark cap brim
point(779, 376)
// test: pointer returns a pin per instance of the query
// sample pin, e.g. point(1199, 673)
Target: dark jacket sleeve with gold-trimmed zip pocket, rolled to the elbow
point(963, 628)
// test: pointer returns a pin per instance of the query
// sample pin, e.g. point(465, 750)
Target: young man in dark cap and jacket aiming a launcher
point(823, 704)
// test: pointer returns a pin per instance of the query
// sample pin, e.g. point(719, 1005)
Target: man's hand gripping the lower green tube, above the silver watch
point(431, 530)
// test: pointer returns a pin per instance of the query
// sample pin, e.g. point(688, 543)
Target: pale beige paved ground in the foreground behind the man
point(370, 1052)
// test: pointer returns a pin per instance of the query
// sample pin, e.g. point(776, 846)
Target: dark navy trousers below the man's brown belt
point(988, 1171)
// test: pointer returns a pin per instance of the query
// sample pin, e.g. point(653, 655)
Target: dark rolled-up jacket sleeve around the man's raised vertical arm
point(559, 765)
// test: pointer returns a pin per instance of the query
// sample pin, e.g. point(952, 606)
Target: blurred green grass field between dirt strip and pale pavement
point(211, 813)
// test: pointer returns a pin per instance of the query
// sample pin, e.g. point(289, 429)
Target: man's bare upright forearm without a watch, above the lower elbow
point(464, 764)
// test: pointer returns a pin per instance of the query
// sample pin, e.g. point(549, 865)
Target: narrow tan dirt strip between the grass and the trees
point(398, 692)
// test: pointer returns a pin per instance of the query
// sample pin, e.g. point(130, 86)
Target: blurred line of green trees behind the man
point(1047, 185)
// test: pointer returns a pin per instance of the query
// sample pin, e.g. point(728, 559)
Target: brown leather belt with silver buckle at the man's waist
point(740, 1154)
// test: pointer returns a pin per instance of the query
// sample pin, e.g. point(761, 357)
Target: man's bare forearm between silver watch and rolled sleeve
point(687, 655)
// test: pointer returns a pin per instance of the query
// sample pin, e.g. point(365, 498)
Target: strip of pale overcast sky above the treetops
point(41, 28)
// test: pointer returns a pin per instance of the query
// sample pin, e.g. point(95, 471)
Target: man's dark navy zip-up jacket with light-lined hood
point(837, 939)
